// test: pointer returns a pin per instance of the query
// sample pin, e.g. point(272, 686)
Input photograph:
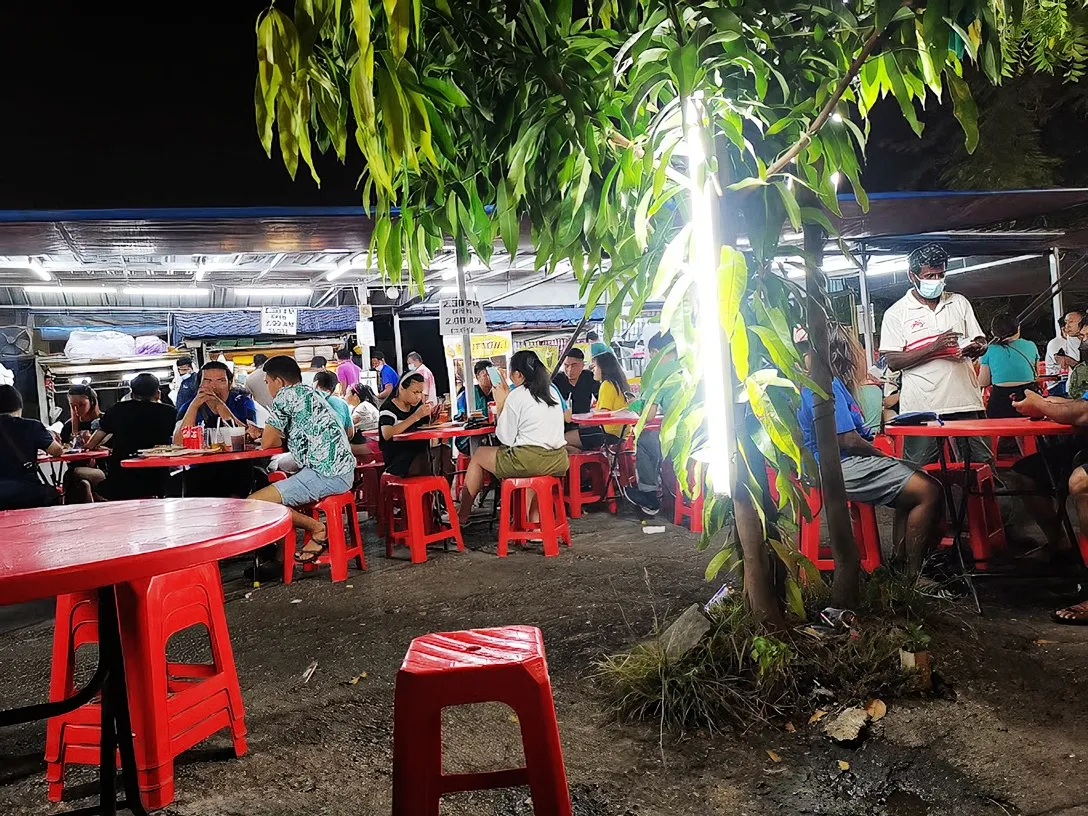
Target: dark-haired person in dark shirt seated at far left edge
point(21, 440)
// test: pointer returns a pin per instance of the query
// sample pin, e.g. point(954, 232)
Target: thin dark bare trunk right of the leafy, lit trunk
point(847, 584)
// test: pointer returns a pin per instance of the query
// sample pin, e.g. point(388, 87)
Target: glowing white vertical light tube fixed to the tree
point(703, 261)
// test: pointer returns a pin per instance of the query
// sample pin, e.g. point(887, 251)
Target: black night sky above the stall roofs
point(134, 108)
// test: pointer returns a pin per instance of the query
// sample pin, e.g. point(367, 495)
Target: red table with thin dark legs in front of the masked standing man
point(1021, 427)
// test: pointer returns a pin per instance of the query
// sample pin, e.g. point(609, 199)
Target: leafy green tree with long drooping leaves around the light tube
point(572, 119)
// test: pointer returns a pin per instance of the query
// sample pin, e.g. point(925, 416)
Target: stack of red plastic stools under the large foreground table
point(174, 706)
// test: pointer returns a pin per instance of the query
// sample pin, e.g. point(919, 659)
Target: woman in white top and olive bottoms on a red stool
point(530, 428)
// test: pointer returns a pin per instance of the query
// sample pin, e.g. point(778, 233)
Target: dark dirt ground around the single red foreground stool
point(1013, 741)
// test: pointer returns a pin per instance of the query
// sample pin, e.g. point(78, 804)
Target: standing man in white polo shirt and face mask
point(930, 337)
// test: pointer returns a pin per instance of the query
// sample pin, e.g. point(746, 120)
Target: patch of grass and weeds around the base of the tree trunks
point(739, 676)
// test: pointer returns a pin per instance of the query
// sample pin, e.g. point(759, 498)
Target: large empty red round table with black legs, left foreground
point(54, 551)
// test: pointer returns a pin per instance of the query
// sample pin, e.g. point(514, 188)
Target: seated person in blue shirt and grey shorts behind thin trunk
point(872, 477)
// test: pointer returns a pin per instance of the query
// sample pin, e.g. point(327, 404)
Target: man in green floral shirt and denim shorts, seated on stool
point(305, 424)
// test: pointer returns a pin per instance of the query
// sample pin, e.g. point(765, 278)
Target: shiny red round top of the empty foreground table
point(54, 551)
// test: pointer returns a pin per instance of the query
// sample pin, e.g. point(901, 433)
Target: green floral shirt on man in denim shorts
point(314, 434)
